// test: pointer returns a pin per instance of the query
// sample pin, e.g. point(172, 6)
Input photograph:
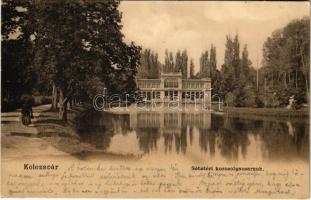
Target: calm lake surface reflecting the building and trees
point(203, 136)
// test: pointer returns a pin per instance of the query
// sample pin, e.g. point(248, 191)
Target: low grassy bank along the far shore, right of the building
point(268, 112)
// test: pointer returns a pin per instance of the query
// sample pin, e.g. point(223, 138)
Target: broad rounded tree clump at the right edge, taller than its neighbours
point(286, 62)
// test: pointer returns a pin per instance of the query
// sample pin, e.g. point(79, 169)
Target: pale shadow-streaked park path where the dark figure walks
point(18, 141)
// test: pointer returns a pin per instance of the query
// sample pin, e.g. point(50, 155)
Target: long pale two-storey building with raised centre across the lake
point(171, 86)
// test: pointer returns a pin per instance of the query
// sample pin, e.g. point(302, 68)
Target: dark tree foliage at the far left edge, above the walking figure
point(17, 53)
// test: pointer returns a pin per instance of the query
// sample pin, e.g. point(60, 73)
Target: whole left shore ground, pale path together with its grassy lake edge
point(48, 136)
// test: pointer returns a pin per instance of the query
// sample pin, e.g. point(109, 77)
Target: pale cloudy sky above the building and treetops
point(195, 25)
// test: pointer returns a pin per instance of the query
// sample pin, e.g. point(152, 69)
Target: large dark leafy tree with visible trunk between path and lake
point(79, 40)
